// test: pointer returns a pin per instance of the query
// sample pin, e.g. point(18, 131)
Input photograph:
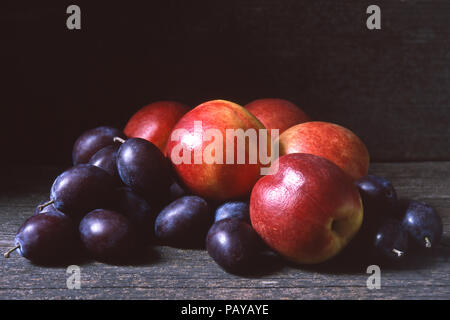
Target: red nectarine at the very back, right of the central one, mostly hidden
point(277, 113)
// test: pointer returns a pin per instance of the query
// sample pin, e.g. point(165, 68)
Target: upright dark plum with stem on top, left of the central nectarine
point(144, 169)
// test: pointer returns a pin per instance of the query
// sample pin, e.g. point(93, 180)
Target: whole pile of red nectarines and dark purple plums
point(126, 191)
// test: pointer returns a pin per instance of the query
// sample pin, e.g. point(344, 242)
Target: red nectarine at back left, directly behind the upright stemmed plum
point(155, 121)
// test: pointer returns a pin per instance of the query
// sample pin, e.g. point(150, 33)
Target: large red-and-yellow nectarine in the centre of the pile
point(191, 140)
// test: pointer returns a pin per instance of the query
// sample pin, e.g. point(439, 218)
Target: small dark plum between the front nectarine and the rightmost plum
point(391, 236)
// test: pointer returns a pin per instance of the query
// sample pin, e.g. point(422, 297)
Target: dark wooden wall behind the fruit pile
point(390, 86)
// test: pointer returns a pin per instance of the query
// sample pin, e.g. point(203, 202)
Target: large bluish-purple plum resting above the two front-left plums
point(82, 189)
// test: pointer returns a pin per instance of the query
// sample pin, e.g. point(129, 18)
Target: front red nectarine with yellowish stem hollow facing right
point(307, 211)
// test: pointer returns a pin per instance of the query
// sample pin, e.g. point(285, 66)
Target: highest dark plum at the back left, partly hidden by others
point(92, 141)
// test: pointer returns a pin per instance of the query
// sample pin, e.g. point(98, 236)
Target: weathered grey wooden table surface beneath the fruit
point(191, 274)
